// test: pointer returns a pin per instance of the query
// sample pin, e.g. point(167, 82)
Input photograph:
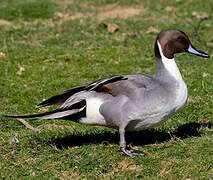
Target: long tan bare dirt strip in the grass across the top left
point(100, 13)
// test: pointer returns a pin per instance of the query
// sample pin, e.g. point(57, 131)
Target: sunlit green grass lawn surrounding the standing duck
point(49, 46)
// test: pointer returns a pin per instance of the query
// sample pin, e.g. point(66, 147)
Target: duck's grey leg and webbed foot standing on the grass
point(126, 150)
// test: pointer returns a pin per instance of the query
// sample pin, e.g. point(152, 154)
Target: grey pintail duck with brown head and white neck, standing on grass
point(129, 102)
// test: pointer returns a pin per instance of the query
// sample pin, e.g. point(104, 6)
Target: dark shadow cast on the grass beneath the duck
point(140, 138)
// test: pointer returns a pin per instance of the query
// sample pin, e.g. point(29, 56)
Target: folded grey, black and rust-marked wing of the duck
point(115, 85)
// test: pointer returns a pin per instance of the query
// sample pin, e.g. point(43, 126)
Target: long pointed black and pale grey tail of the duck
point(73, 112)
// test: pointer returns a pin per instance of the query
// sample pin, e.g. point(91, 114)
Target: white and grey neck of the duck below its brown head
point(165, 67)
